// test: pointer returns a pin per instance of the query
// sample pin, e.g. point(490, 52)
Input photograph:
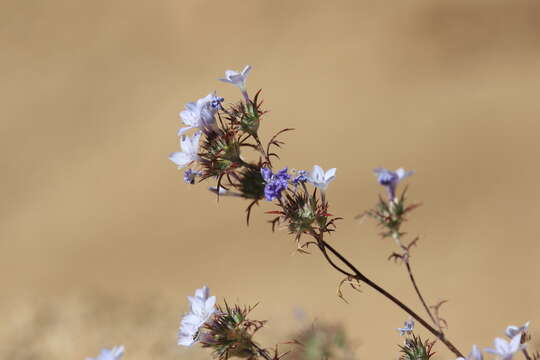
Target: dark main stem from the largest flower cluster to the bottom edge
point(361, 277)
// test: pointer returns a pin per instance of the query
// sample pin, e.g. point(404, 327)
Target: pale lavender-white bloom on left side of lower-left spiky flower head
point(202, 308)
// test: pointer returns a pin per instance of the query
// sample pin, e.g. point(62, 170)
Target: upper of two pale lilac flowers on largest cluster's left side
point(201, 113)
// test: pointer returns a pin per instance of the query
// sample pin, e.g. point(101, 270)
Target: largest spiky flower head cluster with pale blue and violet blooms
point(215, 152)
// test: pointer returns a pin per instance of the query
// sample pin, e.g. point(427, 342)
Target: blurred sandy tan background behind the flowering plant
point(101, 241)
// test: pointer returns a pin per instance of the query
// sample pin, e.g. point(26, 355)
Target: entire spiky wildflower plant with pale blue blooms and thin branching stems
point(214, 145)
